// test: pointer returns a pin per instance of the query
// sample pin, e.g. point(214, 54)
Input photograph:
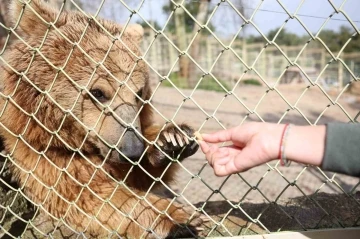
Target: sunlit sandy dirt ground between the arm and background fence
point(249, 103)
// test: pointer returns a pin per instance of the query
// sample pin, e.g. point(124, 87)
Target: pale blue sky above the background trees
point(271, 15)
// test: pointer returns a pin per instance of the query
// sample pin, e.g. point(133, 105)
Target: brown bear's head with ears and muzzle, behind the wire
point(73, 82)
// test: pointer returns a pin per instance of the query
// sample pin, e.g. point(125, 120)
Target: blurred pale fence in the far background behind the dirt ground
point(270, 64)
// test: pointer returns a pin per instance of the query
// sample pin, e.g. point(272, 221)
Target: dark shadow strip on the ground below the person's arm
point(318, 211)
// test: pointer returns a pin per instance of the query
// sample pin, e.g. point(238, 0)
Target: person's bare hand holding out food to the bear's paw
point(252, 144)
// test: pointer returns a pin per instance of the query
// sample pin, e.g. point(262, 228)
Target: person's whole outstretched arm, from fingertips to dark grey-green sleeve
point(337, 149)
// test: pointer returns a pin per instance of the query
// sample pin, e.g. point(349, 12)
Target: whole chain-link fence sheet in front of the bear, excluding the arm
point(97, 118)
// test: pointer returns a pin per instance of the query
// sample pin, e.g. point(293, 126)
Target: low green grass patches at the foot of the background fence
point(208, 83)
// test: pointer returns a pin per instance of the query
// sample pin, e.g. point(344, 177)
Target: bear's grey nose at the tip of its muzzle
point(132, 145)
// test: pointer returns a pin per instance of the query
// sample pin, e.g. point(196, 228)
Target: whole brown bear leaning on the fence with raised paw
point(77, 126)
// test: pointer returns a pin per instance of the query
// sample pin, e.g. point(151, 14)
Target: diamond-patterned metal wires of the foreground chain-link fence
point(13, 194)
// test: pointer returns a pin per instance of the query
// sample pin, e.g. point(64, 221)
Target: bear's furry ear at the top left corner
point(34, 15)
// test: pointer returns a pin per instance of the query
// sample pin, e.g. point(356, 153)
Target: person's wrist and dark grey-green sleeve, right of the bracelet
point(335, 147)
